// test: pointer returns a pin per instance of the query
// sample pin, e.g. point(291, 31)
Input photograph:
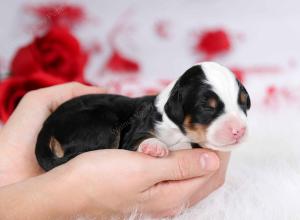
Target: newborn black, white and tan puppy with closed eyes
point(205, 107)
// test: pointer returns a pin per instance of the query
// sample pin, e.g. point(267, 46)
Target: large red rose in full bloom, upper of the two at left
point(57, 53)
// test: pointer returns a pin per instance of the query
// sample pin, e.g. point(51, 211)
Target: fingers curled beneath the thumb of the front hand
point(169, 198)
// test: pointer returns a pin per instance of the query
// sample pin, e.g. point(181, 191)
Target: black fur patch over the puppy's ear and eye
point(190, 97)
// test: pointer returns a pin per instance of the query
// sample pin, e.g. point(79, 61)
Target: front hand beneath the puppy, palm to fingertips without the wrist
point(116, 182)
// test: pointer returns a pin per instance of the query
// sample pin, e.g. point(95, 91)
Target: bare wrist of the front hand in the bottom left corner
point(48, 196)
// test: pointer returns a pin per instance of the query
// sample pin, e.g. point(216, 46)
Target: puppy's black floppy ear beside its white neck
point(174, 106)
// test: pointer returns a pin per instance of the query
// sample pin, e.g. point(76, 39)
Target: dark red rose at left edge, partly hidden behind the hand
point(14, 88)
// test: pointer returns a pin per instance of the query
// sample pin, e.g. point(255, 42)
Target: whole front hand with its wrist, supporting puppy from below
point(111, 183)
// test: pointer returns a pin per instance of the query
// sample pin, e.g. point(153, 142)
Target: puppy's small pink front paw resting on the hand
point(153, 147)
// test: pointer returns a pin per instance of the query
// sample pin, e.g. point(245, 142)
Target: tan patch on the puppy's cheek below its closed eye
point(195, 131)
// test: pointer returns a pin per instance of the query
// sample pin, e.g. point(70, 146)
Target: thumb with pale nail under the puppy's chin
point(184, 164)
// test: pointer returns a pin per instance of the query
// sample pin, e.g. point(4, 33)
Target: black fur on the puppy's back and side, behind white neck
point(96, 122)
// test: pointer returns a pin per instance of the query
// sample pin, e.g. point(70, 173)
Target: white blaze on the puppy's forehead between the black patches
point(223, 83)
